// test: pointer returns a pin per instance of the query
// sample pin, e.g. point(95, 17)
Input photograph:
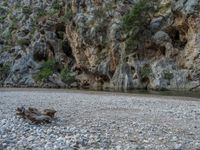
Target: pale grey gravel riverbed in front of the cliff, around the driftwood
point(96, 120)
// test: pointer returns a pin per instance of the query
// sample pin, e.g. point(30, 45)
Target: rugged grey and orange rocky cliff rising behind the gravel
point(120, 44)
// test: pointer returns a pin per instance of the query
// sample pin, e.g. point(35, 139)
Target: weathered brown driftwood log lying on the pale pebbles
point(36, 116)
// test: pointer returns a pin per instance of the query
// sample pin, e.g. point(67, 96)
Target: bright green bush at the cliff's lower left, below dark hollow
point(47, 69)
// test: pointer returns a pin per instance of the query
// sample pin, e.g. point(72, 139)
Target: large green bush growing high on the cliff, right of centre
point(136, 21)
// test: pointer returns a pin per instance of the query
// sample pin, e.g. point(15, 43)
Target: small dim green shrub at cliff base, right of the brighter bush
point(67, 76)
